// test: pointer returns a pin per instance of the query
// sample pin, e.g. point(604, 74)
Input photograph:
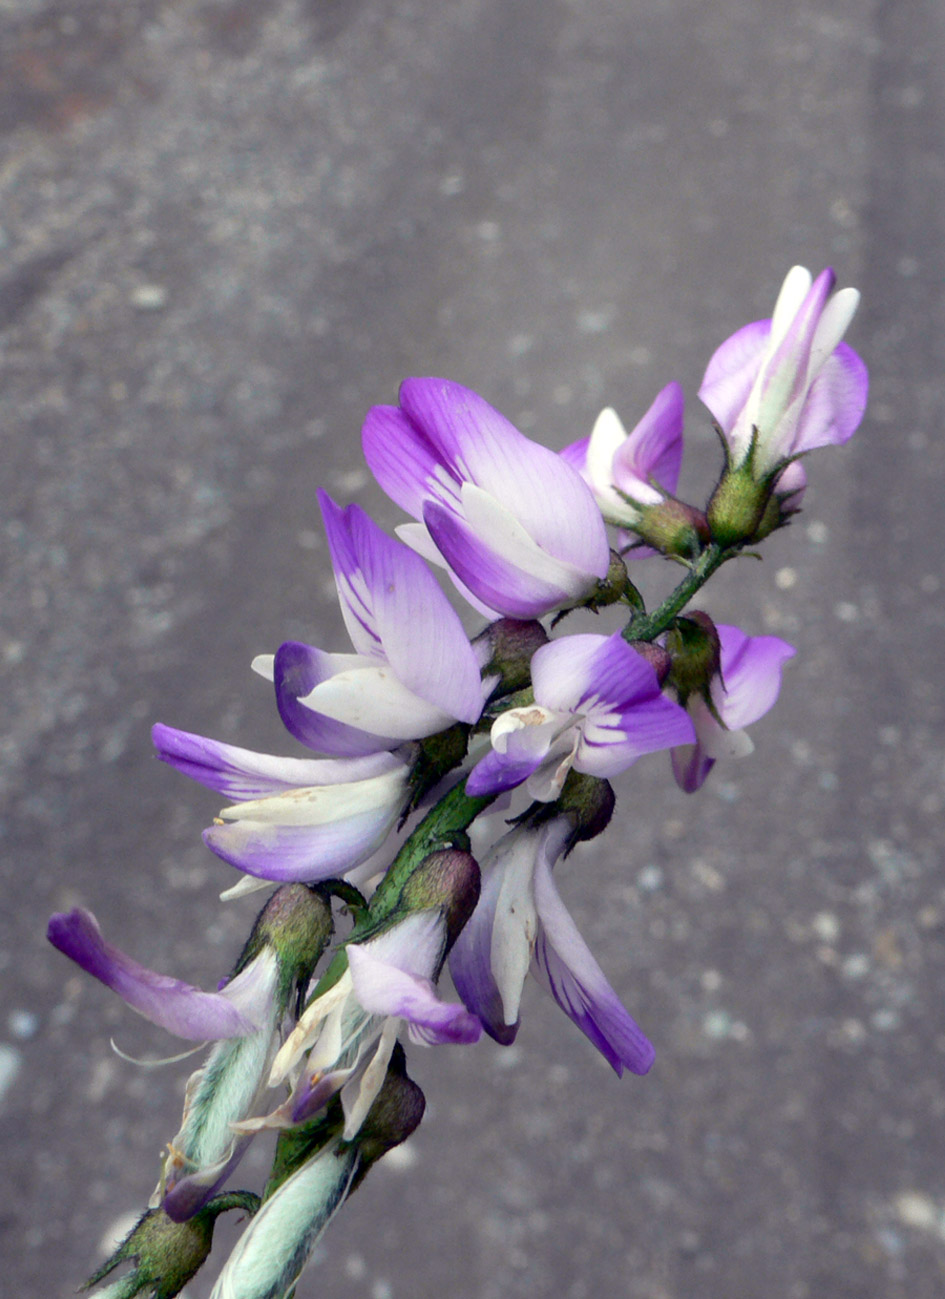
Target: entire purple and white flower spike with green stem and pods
point(419, 720)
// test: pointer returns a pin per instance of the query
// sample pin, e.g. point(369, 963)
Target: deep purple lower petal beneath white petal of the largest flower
point(500, 585)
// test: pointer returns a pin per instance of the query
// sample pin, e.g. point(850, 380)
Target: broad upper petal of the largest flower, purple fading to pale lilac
point(482, 448)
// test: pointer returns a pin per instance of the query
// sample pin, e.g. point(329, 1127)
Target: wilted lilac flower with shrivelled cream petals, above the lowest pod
point(350, 1031)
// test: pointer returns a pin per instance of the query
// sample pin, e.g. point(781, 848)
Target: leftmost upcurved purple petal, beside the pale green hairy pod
point(241, 1009)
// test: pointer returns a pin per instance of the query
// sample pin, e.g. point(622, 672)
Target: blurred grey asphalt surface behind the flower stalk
point(231, 228)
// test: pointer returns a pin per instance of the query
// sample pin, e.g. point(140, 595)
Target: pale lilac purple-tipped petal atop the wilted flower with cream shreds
point(383, 989)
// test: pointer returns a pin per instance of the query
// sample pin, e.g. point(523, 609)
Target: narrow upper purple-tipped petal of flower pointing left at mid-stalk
point(240, 774)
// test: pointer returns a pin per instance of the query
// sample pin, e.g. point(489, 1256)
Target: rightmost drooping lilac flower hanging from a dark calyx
point(745, 689)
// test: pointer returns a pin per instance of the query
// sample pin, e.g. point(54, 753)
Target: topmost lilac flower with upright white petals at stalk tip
point(788, 385)
